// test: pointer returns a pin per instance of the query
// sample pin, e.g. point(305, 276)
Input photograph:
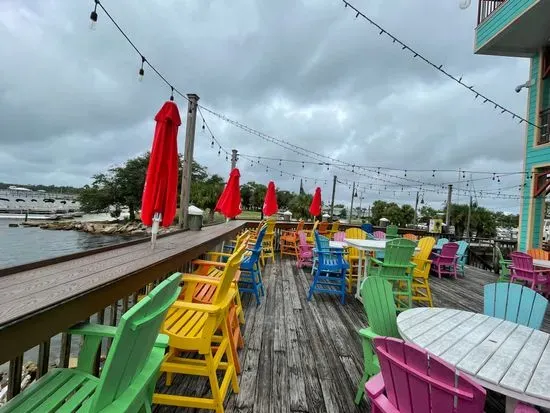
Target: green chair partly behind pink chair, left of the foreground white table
point(380, 308)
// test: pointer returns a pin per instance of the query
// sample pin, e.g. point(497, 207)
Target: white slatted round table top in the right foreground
point(506, 357)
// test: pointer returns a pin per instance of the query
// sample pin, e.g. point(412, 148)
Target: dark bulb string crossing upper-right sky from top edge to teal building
point(437, 67)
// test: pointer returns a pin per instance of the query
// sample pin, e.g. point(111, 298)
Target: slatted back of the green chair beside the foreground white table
point(379, 306)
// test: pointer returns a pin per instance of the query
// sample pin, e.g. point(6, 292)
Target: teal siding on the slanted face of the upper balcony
point(506, 13)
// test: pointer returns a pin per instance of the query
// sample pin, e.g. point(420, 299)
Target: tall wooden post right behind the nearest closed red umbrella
point(187, 166)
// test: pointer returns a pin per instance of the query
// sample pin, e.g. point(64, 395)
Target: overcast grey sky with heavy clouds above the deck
point(305, 71)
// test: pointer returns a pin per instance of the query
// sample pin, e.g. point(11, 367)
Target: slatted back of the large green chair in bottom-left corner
point(136, 334)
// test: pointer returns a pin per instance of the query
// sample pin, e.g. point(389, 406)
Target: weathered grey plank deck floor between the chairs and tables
point(302, 356)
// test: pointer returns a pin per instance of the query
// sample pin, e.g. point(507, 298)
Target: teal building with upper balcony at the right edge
point(521, 28)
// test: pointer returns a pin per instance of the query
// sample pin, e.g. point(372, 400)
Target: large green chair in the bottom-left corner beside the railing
point(130, 372)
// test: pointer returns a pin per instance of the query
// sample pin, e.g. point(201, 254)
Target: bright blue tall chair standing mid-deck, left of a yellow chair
point(330, 274)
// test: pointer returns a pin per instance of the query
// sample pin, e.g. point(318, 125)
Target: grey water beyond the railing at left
point(23, 245)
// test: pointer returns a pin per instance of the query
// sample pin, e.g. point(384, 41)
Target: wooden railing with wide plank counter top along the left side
point(41, 300)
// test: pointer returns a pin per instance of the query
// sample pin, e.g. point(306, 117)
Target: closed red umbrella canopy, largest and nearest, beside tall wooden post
point(161, 182)
